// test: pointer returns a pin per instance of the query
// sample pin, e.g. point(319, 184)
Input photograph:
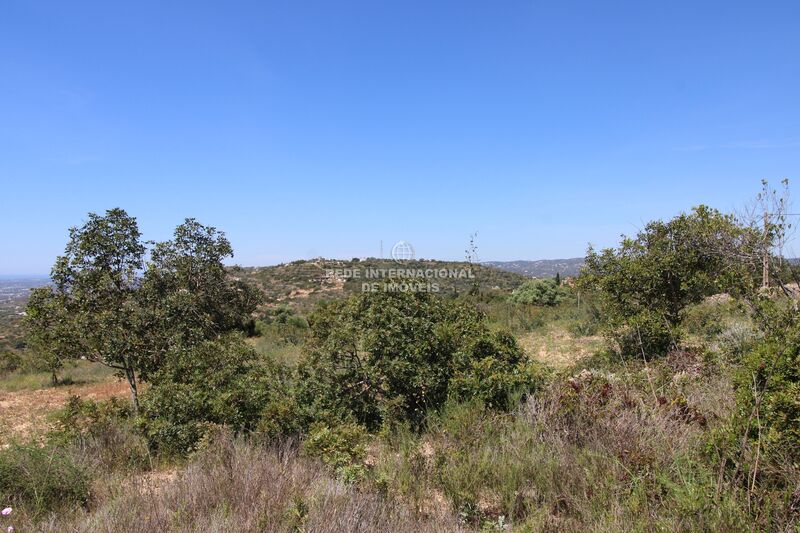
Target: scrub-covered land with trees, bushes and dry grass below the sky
point(658, 392)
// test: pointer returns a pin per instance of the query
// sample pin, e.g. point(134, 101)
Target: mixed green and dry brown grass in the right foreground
point(595, 452)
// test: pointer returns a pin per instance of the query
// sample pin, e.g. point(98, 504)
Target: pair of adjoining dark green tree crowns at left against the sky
point(106, 305)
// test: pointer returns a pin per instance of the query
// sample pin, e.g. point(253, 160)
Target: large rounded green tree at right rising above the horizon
point(643, 286)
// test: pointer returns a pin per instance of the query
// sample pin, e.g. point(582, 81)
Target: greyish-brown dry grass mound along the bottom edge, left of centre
point(233, 486)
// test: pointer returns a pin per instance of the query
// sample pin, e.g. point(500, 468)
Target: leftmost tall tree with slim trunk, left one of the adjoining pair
point(93, 299)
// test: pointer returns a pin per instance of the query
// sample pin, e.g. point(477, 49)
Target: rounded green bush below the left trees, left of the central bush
point(211, 384)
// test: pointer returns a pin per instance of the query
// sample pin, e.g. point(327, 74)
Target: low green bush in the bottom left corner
point(41, 479)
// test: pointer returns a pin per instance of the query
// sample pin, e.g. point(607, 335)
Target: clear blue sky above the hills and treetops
point(308, 129)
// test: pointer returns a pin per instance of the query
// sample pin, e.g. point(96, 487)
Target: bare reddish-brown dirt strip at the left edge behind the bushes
point(23, 414)
